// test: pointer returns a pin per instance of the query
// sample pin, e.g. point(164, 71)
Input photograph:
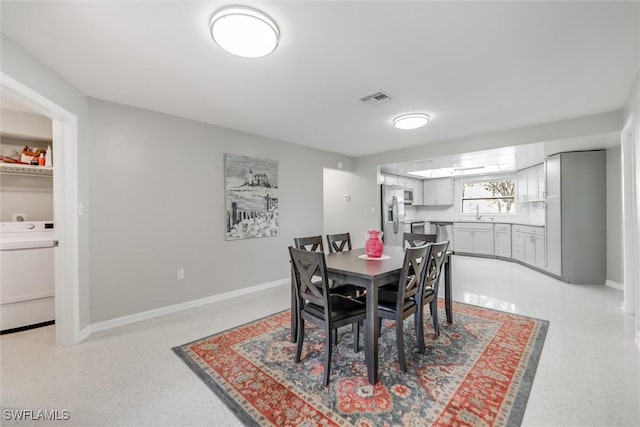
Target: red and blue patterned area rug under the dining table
point(478, 372)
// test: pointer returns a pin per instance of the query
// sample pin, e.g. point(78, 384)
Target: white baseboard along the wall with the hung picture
point(125, 320)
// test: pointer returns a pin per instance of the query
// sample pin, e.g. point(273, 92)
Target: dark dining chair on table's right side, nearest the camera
point(404, 301)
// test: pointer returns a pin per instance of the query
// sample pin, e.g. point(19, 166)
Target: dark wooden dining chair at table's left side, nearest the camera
point(318, 305)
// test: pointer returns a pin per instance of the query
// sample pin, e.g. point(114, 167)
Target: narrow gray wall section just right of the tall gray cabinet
point(614, 216)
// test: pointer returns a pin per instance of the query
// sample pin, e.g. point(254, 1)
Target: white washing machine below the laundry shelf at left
point(27, 274)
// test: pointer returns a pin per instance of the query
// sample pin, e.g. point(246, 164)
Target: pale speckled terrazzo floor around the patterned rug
point(588, 373)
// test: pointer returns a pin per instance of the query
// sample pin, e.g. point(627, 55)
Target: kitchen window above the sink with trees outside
point(495, 196)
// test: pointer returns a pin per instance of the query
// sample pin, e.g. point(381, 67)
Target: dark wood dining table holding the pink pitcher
point(347, 267)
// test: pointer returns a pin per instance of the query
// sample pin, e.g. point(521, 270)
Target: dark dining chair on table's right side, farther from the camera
point(429, 290)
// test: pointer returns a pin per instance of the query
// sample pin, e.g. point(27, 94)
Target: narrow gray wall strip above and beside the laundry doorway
point(25, 68)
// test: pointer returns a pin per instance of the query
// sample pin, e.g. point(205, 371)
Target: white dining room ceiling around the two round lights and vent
point(475, 67)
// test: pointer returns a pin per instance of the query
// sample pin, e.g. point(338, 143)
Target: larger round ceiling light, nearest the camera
point(244, 31)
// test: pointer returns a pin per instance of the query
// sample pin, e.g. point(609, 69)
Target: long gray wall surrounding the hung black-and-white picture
point(157, 202)
